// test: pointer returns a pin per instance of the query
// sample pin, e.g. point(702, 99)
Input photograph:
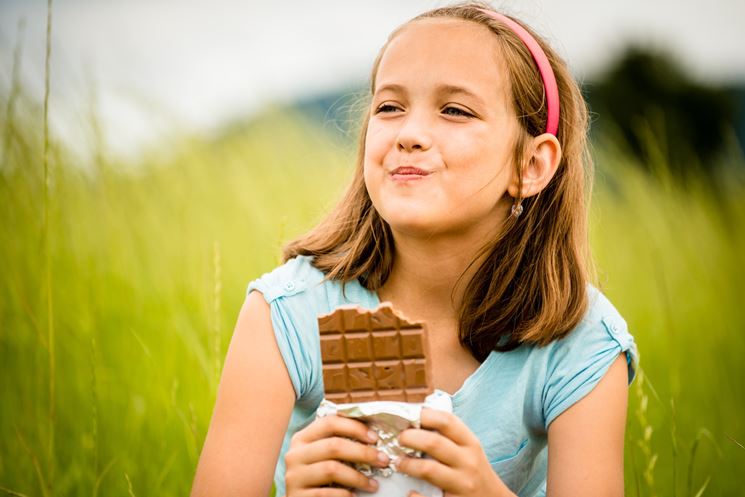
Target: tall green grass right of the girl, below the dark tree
point(672, 259)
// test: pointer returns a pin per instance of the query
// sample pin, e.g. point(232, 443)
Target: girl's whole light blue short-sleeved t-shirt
point(508, 402)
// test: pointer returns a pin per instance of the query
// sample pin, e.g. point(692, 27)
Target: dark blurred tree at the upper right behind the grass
point(667, 119)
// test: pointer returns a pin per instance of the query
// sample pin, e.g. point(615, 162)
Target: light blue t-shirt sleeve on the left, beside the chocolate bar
point(294, 322)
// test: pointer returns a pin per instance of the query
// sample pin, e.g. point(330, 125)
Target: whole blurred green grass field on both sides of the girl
point(116, 312)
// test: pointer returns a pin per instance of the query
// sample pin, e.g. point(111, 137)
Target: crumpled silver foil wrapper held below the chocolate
point(388, 420)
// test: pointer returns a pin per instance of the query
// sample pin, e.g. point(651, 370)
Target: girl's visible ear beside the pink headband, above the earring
point(543, 160)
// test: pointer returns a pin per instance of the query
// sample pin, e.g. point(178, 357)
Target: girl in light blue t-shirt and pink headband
point(468, 211)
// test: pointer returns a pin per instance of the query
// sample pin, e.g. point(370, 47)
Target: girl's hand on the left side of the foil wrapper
point(315, 454)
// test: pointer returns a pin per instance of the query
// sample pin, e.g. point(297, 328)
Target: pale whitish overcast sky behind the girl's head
point(149, 67)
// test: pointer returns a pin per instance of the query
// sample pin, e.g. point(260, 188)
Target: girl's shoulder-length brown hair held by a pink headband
point(531, 285)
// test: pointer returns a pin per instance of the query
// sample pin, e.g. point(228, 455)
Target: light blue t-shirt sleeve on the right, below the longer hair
point(579, 361)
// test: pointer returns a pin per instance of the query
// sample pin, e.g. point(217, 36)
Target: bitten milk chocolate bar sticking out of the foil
point(374, 355)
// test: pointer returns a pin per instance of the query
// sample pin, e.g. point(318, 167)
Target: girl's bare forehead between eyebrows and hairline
point(437, 50)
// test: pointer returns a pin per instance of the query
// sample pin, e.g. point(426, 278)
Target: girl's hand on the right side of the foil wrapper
point(459, 465)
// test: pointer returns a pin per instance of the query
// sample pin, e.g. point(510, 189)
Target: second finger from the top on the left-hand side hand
point(338, 448)
